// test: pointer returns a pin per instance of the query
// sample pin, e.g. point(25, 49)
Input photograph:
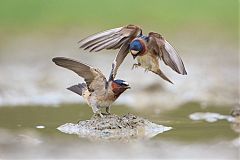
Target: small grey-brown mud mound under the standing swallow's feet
point(114, 127)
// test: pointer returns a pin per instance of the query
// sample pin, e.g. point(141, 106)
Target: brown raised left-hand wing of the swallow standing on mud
point(93, 77)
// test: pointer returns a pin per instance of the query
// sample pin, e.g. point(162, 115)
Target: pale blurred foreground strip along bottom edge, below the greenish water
point(31, 145)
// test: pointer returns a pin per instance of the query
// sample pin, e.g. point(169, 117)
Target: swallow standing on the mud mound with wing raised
point(96, 91)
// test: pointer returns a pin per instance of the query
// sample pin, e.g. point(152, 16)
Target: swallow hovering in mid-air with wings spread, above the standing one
point(148, 49)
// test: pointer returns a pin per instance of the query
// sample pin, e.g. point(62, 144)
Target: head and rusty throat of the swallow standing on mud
point(119, 86)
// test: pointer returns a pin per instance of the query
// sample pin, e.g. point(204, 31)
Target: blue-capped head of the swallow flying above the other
point(136, 47)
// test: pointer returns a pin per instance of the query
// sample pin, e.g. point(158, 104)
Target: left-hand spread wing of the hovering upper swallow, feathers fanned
point(110, 39)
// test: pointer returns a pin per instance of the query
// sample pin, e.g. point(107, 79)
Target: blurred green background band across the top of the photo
point(30, 15)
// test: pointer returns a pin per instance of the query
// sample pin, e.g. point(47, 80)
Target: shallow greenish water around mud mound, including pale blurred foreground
point(30, 132)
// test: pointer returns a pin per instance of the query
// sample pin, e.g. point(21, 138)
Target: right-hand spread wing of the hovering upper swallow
point(164, 50)
